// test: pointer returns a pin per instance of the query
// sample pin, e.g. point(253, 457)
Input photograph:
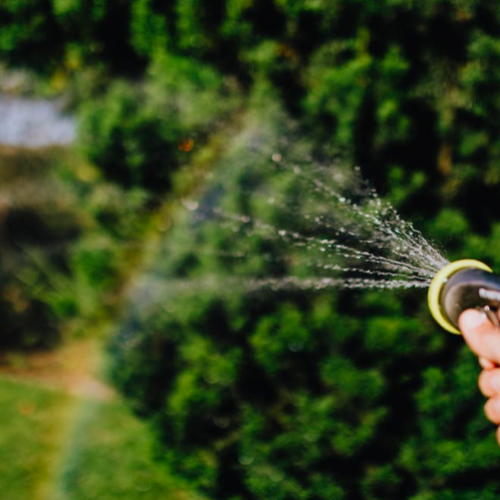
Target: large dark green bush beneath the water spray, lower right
point(294, 395)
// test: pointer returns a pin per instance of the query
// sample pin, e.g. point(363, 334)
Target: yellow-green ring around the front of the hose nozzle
point(436, 287)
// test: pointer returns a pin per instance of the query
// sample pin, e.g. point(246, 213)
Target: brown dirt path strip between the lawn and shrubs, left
point(71, 368)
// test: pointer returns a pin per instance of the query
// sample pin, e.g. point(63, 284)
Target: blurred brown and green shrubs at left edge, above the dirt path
point(66, 238)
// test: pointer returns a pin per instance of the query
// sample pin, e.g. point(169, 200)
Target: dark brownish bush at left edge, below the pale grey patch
point(39, 224)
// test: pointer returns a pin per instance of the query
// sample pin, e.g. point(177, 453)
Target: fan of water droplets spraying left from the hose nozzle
point(335, 232)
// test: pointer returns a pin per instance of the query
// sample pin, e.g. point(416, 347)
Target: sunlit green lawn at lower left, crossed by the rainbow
point(58, 447)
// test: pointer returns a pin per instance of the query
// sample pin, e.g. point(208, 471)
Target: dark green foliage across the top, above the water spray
point(406, 89)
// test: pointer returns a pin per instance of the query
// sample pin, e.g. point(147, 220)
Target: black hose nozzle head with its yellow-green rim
point(461, 285)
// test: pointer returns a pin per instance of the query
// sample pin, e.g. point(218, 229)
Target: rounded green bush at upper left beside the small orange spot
point(138, 135)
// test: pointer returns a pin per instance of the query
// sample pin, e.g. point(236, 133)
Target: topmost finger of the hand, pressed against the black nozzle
point(481, 335)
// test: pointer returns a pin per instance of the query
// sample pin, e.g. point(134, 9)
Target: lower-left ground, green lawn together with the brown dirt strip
point(66, 435)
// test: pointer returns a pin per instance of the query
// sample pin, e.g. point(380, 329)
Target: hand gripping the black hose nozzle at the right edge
point(484, 340)
